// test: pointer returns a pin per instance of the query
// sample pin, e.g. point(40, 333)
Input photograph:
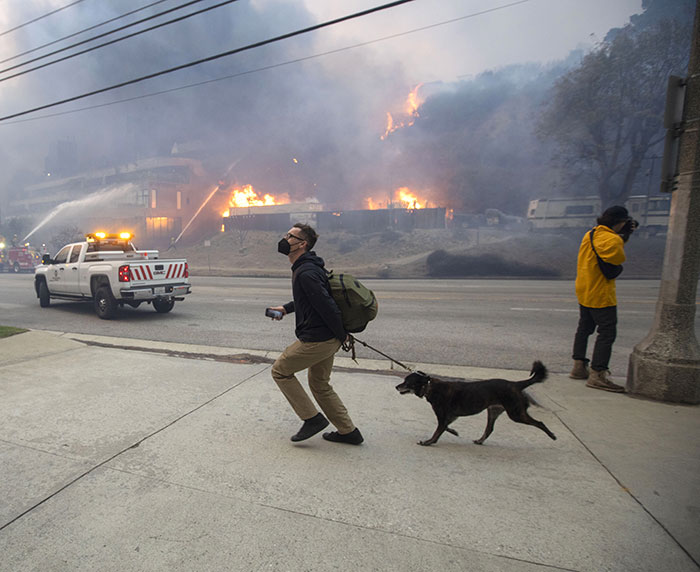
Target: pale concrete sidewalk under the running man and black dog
point(130, 455)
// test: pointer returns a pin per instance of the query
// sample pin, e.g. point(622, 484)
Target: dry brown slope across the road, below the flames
point(393, 254)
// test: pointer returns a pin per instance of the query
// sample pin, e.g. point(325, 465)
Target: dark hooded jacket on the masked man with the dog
point(317, 315)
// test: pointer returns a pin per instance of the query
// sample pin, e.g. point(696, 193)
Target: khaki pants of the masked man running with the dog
point(317, 357)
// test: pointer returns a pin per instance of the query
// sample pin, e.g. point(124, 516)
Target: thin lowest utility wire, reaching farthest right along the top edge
point(271, 66)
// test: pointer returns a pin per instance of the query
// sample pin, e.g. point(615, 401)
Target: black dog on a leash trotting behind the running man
point(452, 399)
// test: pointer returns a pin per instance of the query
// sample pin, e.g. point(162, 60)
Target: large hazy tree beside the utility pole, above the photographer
point(606, 115)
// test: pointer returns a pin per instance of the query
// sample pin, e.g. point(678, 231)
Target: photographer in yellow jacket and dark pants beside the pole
point(601, 251)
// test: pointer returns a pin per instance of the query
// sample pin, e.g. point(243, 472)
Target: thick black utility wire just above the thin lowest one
point(216, 57)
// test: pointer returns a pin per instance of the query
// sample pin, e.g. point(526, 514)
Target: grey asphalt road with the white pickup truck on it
point(485, 323)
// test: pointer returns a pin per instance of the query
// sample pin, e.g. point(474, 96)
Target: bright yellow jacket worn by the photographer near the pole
point(594, 290)
